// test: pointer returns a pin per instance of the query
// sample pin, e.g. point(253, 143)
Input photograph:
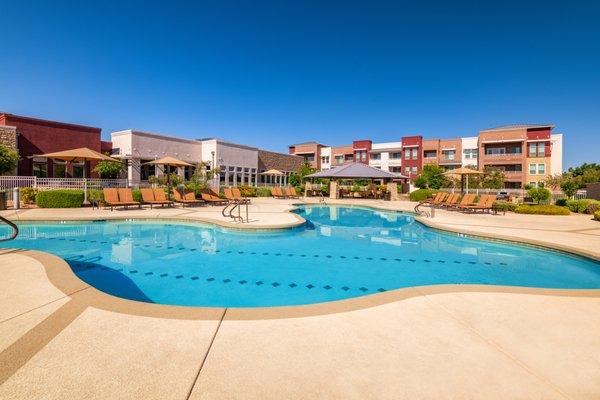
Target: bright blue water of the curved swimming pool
point(341, 253)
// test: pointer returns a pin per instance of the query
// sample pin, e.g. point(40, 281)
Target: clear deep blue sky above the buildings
point(273, 73)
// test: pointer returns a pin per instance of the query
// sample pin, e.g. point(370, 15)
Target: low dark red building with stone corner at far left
point(38, 136)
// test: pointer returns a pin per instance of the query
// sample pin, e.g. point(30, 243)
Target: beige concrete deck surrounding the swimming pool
point(61, 339)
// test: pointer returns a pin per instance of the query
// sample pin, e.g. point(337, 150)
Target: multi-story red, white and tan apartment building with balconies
point(527, 154)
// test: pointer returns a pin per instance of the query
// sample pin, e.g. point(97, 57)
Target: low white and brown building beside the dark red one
point(236, 164)
